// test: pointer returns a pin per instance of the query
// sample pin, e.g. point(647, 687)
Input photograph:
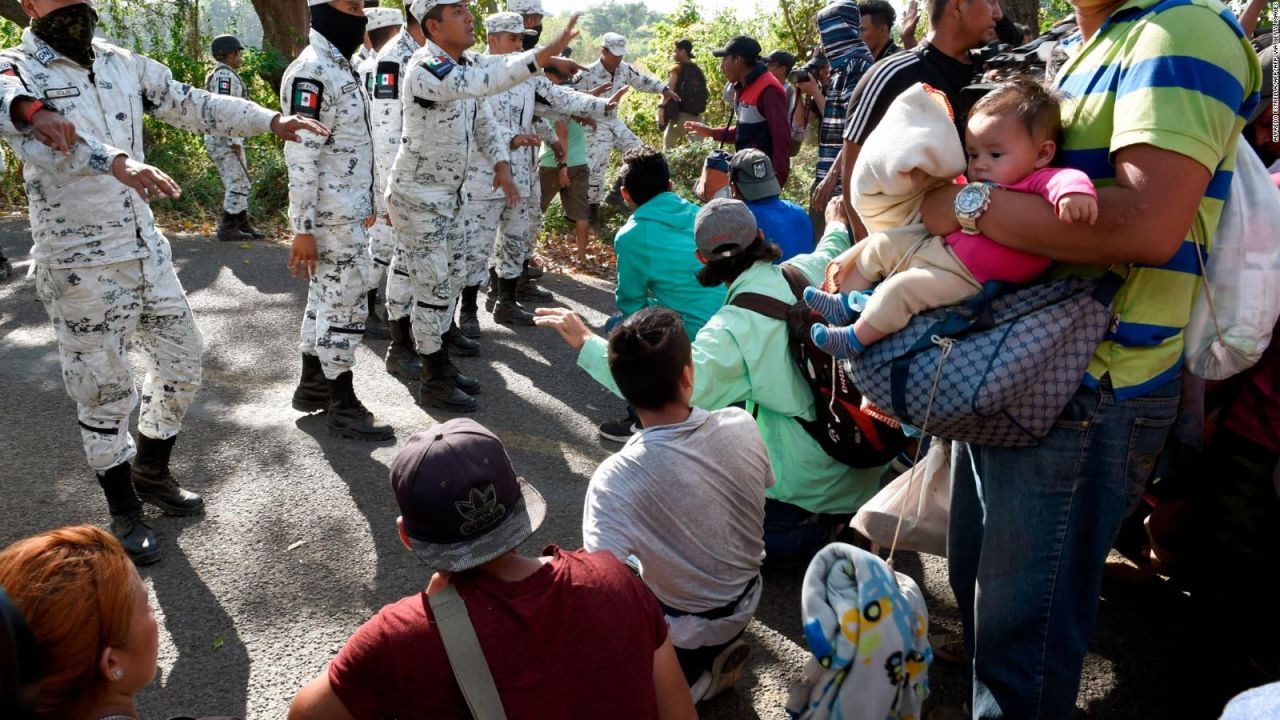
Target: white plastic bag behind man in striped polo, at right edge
point(1244, 279)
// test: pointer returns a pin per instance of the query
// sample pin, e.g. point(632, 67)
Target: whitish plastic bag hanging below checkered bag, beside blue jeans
point(921, 498)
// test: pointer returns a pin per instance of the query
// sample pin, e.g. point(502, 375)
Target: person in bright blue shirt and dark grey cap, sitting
point(784, 224)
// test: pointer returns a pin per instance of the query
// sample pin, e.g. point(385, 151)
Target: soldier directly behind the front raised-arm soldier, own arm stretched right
point(506, 250)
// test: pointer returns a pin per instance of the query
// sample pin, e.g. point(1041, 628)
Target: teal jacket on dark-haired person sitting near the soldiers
point(659, 263)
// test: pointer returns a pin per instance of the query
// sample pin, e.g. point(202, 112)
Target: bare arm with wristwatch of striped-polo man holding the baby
point(1144, 218)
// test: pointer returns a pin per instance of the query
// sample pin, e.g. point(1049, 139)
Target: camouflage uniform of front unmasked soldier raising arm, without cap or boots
point(445, 125)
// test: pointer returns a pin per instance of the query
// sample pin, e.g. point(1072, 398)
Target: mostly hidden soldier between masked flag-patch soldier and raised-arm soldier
point(388, 119)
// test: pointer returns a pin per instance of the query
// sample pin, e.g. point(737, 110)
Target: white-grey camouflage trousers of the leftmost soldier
point(99, 313)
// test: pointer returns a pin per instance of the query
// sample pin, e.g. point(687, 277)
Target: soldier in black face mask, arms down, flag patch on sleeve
point(331, 208)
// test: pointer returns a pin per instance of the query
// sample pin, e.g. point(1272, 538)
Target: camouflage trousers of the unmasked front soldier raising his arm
point(435, 238)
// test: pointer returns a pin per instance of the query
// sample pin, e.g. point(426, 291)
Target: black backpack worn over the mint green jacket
point(843, 429)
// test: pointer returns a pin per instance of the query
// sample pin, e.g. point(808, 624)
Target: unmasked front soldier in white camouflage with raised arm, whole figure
point(445, 124)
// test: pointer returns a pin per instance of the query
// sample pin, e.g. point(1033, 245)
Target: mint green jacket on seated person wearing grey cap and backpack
point(743, 357)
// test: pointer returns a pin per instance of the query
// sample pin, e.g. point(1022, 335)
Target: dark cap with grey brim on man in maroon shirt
point(460, 499)
